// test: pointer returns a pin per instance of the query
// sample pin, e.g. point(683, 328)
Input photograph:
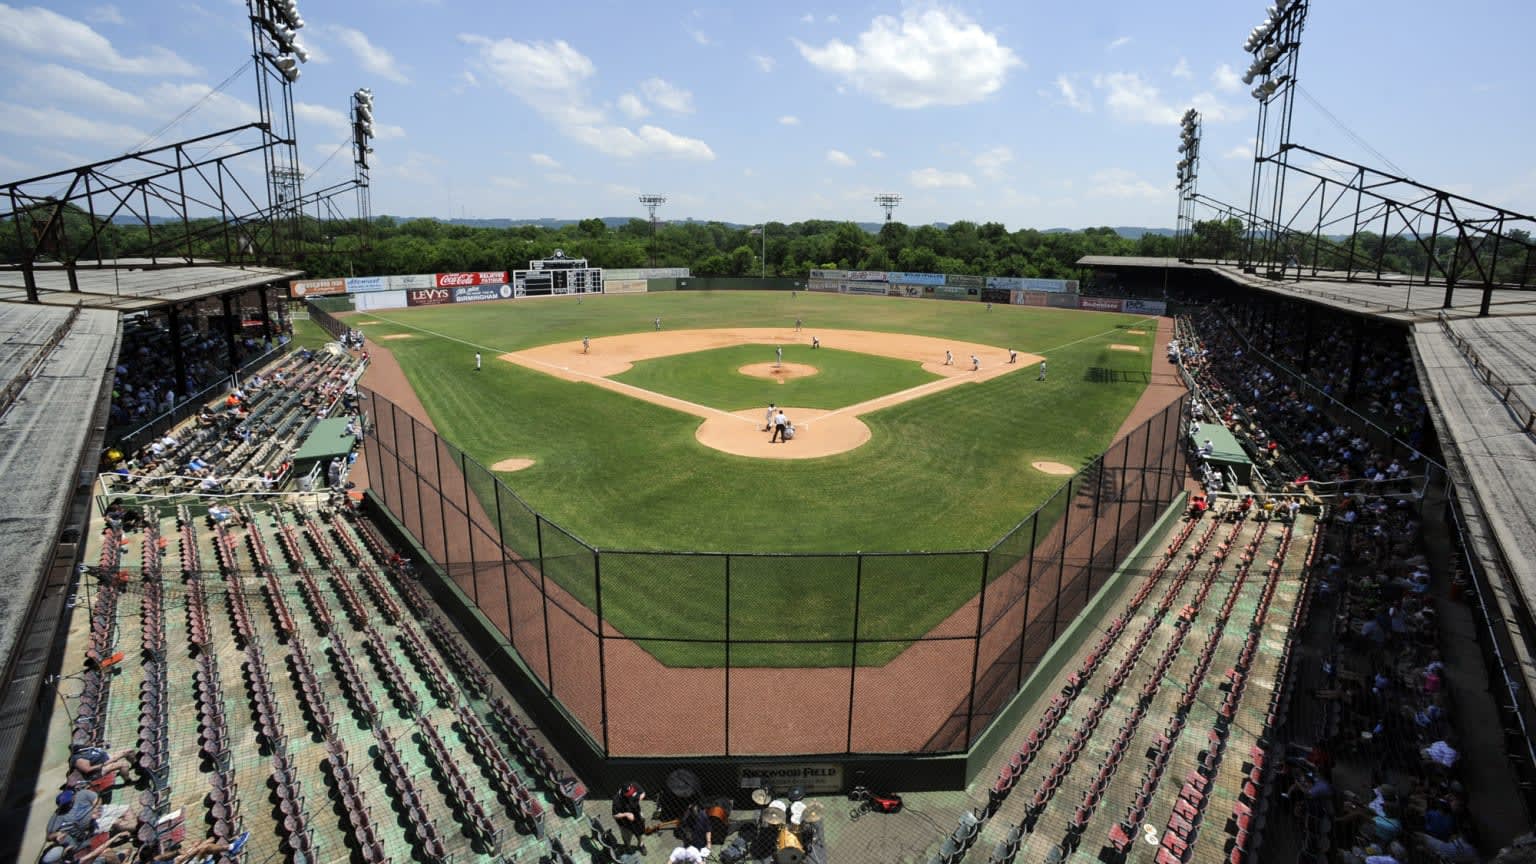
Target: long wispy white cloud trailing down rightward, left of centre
point(552, 79)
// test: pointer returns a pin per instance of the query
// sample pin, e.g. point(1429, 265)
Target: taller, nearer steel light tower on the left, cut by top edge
point(277, 55)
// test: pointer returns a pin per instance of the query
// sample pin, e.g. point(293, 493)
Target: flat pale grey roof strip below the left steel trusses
point(139, 284)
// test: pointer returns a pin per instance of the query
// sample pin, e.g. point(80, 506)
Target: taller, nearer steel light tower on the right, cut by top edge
point(1274, 45)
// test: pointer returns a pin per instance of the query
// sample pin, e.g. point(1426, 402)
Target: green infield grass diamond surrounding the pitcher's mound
point(712, 377)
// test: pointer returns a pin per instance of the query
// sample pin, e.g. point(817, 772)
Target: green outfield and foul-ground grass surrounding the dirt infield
point(950, 471)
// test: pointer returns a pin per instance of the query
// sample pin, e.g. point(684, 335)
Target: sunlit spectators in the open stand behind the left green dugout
point(243, 442)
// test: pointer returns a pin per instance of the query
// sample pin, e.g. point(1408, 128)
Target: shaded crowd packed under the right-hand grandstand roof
point(1377, 780)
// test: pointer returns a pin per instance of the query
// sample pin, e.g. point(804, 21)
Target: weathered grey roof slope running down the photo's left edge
point(42, 439)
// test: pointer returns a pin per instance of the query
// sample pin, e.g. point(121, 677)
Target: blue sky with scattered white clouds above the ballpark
point(1030, 115)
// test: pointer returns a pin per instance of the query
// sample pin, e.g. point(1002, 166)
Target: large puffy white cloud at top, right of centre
point(930, 56)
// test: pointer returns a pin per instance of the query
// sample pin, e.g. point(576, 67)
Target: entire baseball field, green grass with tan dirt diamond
point(655, 440)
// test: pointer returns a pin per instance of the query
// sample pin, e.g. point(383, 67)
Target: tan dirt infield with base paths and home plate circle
point(818, 433)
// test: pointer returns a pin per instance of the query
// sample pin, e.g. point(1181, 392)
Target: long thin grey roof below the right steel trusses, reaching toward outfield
point(1385, 301)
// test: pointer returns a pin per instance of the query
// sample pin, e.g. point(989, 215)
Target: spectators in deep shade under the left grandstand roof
point(145, 382)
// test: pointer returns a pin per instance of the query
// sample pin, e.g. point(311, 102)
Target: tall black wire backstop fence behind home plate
point(658, 654)
